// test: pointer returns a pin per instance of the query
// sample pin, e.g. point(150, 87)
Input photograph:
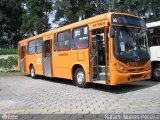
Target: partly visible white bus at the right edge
point(154, 31)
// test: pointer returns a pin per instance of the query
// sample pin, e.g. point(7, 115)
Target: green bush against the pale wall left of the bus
point(8, 64)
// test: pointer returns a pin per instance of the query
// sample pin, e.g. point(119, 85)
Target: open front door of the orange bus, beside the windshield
point(98, 56)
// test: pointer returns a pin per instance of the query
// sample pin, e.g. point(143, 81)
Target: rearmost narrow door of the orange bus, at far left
point(22, 58)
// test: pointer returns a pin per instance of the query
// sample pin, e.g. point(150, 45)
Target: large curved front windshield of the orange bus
point(130, 44)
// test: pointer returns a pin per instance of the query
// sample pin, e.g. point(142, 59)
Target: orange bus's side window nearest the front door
point(80, 38)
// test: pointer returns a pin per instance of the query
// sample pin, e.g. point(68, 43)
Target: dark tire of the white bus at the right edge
point(156, 72)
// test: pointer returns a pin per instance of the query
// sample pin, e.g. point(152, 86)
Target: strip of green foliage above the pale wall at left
point(5, 51)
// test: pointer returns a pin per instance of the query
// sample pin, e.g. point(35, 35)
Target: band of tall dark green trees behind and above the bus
point(23, 18)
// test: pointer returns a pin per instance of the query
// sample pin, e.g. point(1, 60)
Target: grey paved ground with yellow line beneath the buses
point(21, 94)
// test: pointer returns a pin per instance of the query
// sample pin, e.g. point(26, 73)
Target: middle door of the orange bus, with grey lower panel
point(47, 58)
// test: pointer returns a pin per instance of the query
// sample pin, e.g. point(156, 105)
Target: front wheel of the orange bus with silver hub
point(80, 78)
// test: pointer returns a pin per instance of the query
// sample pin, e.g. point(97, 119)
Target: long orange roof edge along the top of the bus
point(76, 24)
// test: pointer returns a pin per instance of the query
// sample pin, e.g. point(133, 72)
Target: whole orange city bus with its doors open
point(109, 49)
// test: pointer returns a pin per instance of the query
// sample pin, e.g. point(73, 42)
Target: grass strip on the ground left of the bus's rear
point(11, 73)
